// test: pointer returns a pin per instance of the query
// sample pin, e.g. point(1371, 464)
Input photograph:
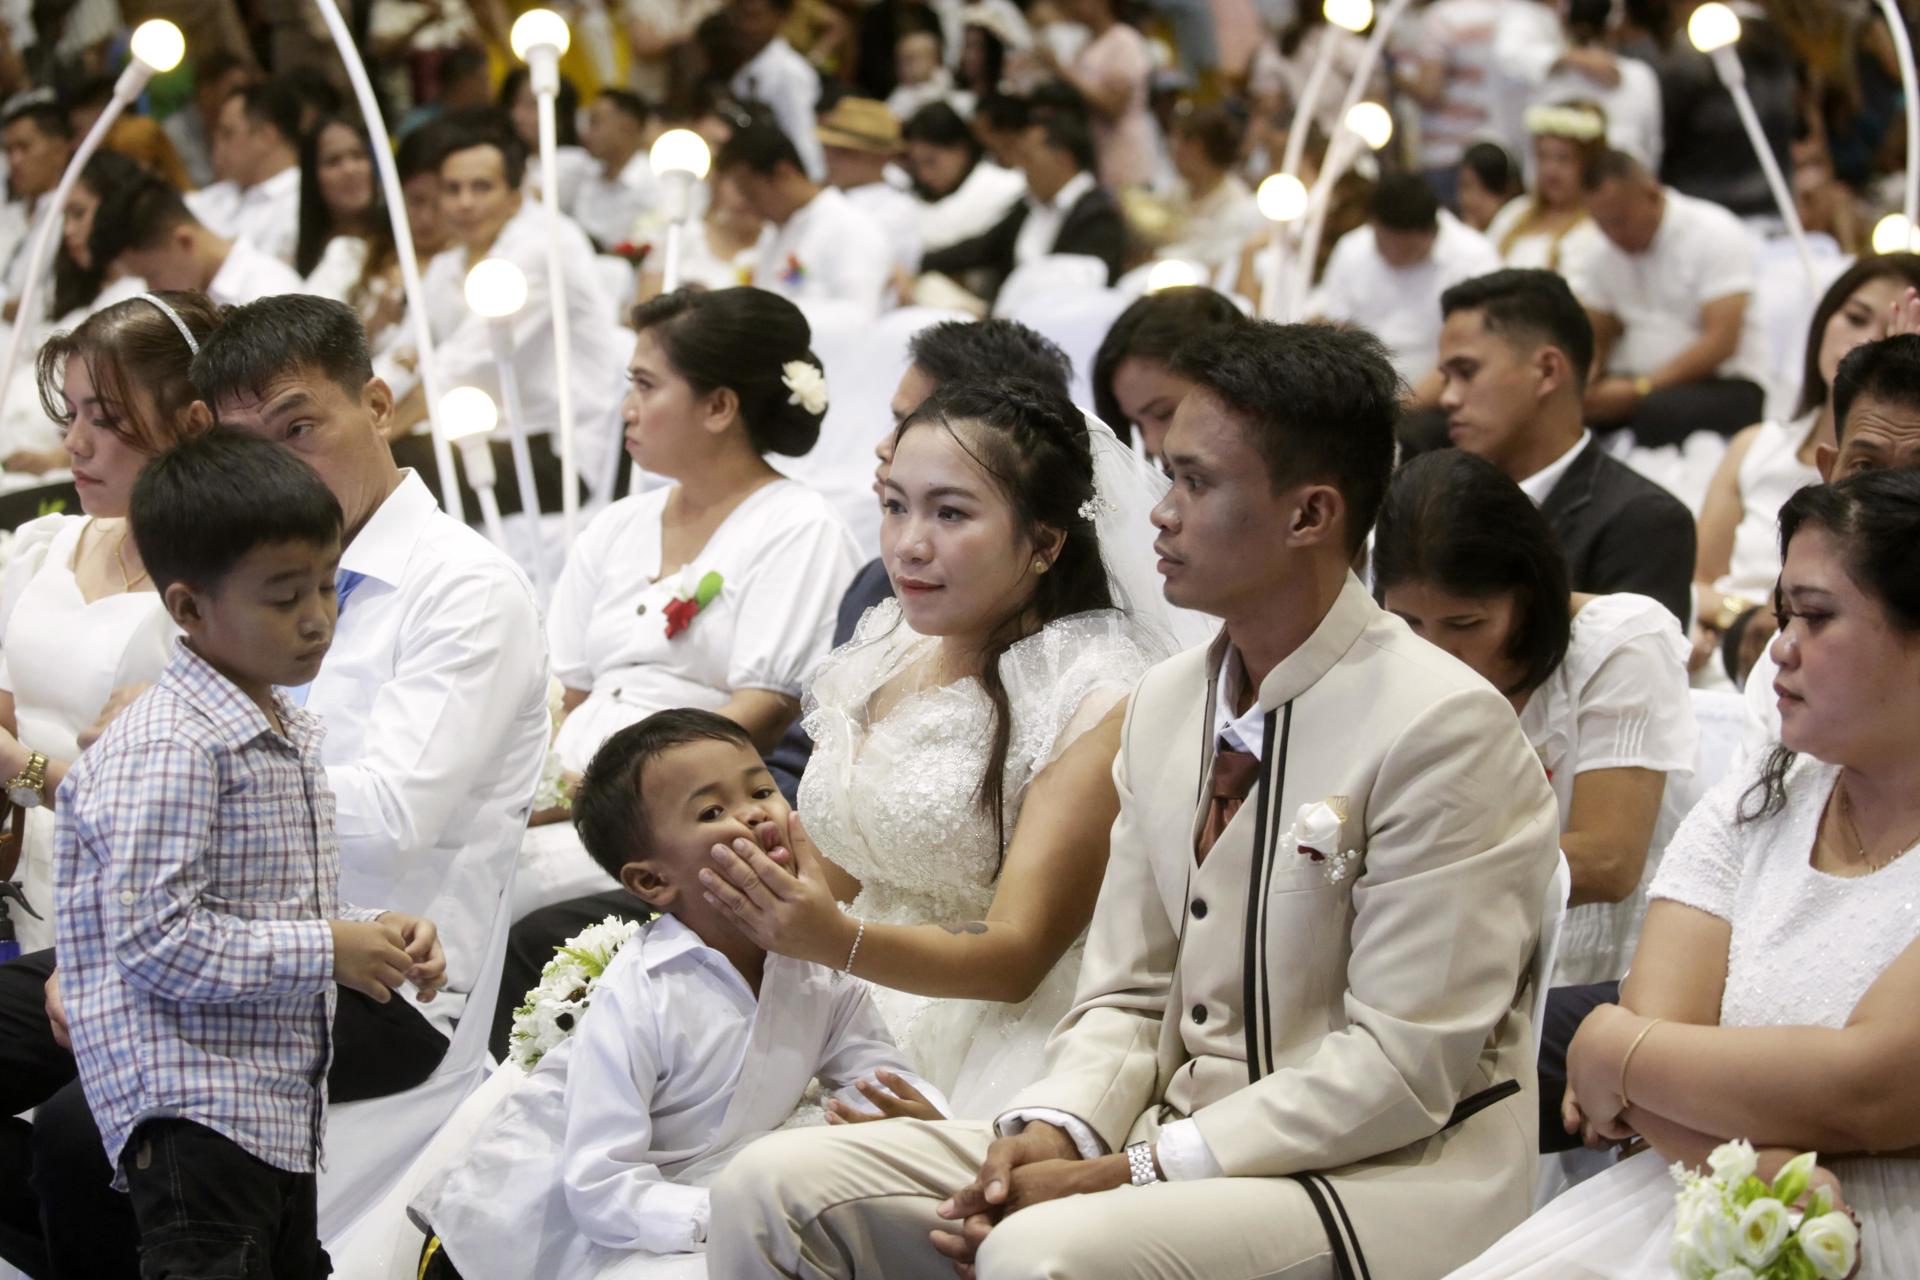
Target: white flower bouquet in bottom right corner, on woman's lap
point(1729, 1225)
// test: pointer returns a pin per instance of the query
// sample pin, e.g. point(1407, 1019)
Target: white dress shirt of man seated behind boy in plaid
point(435, 698)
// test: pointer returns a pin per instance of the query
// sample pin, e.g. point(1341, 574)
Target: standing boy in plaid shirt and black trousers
point(197, 878)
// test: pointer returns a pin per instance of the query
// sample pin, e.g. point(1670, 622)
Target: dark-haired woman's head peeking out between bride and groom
point(1134, 381)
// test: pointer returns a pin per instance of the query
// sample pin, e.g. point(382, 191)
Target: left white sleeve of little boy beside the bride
point(617, 1197)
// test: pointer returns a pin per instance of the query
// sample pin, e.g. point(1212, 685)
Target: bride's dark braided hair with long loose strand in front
point(1034, 444)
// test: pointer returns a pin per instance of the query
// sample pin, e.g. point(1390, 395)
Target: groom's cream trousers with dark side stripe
point(857, 1202)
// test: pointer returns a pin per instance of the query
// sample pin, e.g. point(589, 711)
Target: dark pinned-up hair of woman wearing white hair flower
point(742, 341)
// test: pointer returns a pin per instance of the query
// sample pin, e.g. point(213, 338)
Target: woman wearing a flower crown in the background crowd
point(1550, 227)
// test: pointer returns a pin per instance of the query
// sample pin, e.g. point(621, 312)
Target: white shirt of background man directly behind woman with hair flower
point(825, 258)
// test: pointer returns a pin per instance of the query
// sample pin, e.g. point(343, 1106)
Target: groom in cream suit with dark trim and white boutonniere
point(1301, 1045)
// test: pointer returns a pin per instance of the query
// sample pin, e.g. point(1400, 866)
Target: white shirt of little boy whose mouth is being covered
point(610, 1145)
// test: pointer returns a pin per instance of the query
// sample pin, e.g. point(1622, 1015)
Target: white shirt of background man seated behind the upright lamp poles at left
point(464, 346)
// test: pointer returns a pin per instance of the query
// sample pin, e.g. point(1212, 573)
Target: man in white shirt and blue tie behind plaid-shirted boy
point(435, 699)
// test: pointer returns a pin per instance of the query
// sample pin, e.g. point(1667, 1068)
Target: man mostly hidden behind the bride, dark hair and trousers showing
point(940, 354)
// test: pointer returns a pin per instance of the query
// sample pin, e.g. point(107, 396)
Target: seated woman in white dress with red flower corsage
point(717, 383)
